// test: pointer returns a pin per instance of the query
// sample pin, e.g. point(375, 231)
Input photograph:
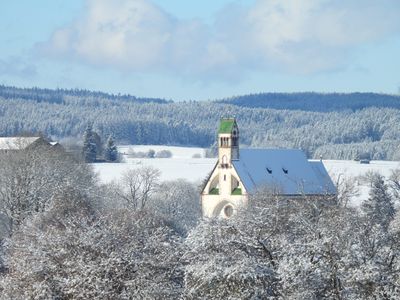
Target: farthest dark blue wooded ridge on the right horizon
point(315, 101)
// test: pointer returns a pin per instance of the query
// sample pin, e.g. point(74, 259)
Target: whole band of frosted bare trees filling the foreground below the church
point(67, 236)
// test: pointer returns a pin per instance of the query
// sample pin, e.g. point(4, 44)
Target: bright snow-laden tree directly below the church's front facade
point(221, 263)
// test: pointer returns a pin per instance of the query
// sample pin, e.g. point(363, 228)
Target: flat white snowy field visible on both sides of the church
point(183, 165)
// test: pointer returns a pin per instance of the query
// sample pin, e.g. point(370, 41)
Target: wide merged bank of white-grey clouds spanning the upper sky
point(302, 36)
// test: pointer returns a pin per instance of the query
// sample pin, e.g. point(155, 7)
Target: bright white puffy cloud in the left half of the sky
point(127, 34)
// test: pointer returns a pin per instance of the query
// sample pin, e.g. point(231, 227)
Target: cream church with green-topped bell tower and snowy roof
point(240, 172)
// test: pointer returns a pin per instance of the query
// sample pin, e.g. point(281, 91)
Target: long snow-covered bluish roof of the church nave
point(286, 171)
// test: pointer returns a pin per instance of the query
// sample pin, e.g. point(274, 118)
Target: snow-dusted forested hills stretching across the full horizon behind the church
point(336, 126)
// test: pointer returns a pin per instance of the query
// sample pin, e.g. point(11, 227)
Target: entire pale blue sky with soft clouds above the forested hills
point(196, 50)
